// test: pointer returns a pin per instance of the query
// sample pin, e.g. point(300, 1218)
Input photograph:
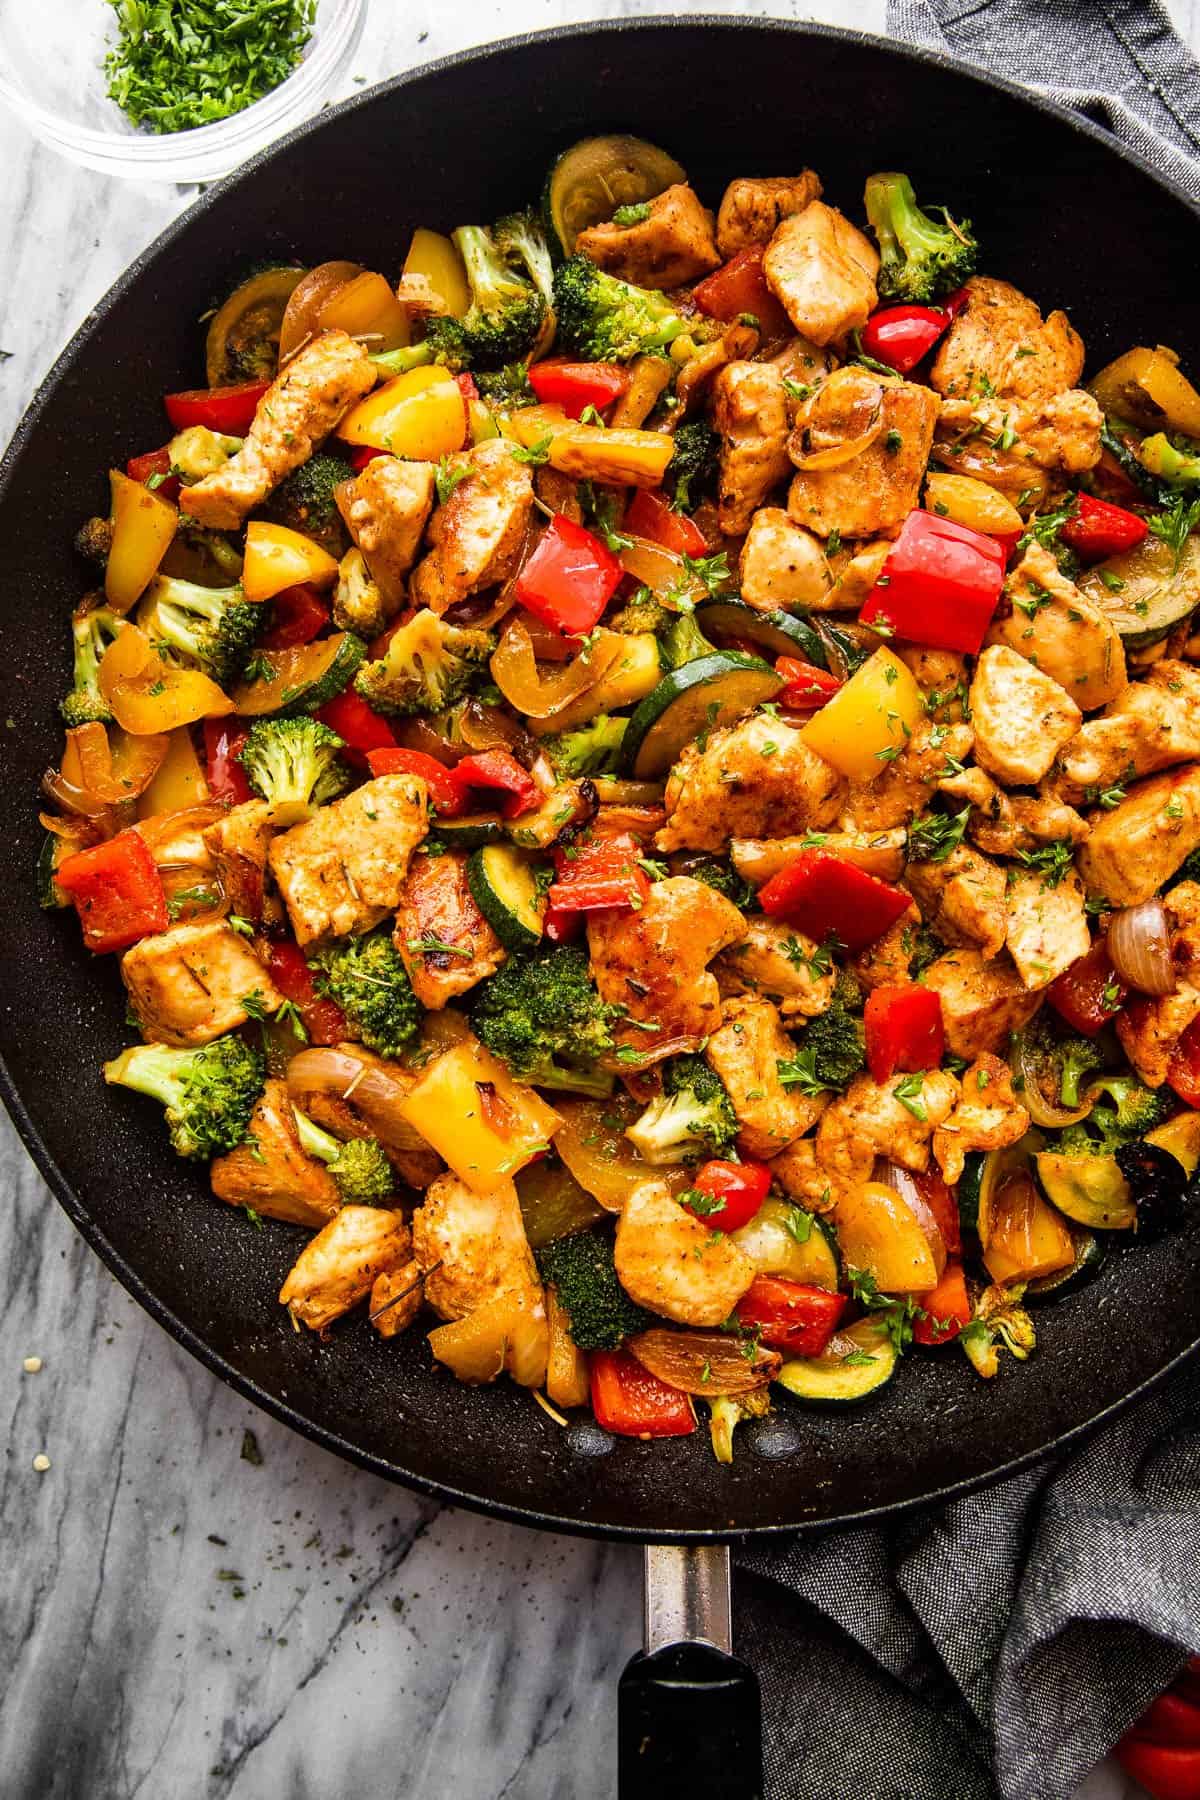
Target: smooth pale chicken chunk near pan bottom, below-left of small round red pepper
point(672, 1263)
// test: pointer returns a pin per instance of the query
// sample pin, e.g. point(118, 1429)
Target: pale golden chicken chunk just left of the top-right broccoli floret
point(823, 271)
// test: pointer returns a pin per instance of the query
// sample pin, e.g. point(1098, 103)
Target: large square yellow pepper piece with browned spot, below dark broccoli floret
point(483, 1137)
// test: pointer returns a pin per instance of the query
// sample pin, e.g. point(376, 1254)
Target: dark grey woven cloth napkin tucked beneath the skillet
point(998, 1648)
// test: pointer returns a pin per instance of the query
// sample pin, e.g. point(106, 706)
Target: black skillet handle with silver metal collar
point(690, 1716)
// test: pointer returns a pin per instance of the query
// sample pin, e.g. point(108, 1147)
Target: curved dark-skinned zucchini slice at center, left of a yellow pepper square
point(697, 697)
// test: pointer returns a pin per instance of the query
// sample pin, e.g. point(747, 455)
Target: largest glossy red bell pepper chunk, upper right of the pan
point(940, 584)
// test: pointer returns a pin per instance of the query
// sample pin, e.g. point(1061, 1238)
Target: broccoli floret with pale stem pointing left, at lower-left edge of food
point(210, 1093)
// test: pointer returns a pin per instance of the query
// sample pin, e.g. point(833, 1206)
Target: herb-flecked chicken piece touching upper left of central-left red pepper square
point(479, 532)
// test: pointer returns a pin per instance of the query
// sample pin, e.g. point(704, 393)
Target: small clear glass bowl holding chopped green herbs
point(53, 78)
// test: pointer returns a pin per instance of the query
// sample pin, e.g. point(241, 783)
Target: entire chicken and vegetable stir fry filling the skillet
point(647, 789)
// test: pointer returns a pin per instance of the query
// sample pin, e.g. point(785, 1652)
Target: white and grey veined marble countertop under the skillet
point(193, 1601)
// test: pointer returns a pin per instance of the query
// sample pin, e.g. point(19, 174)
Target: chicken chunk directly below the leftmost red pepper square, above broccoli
point(188, 985)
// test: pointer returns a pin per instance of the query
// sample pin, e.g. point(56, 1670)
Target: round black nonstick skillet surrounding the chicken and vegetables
point(1061, 211)
